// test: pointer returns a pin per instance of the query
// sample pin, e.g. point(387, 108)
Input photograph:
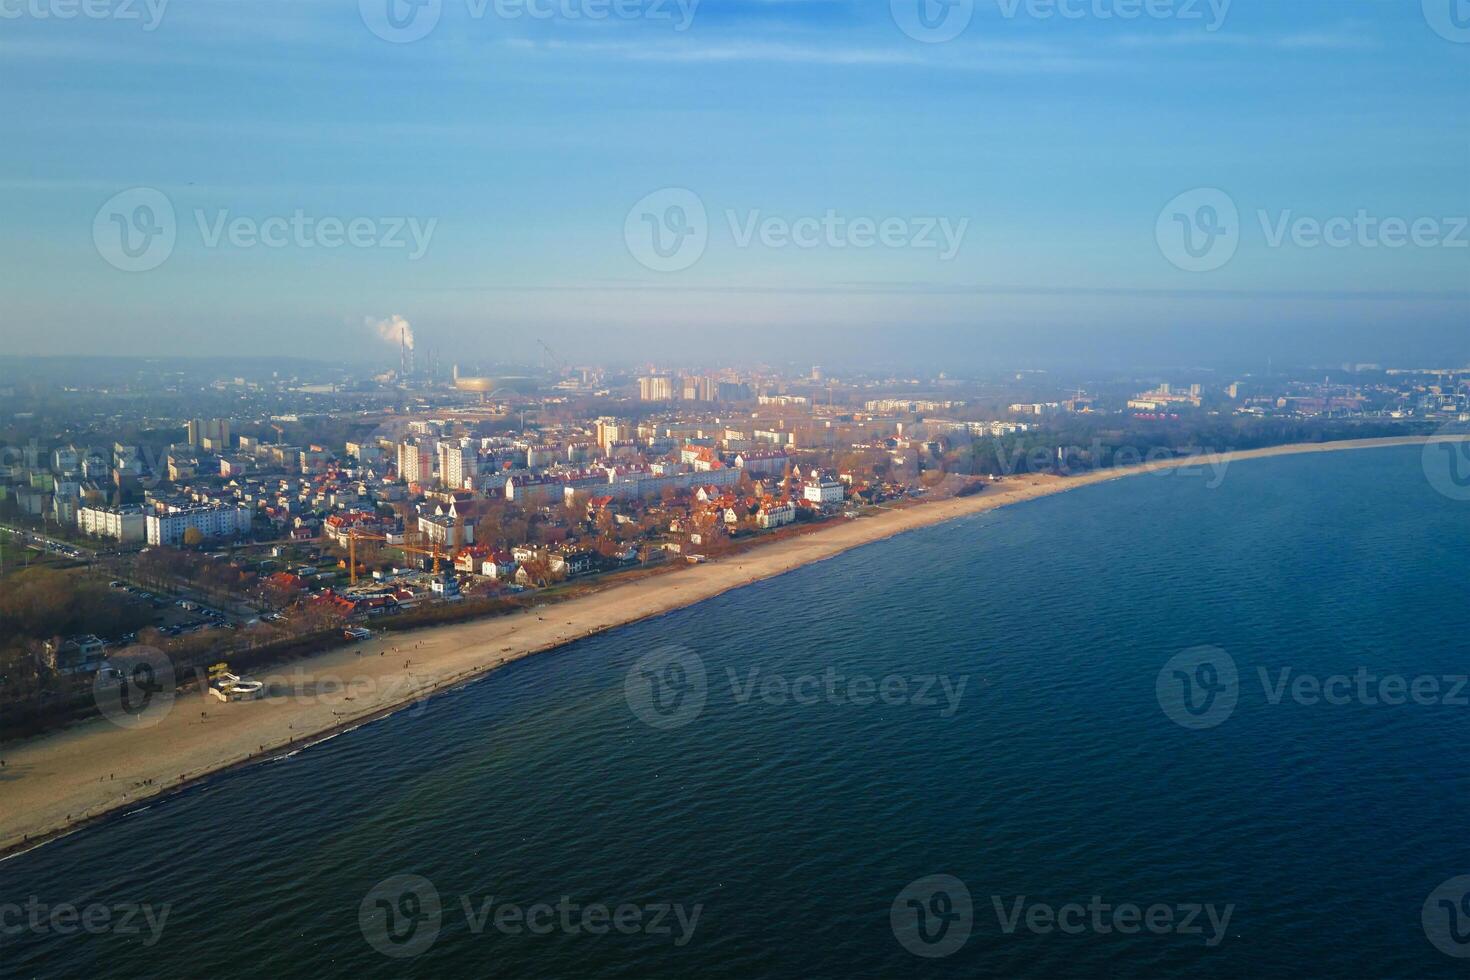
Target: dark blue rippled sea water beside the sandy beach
point(796, 813)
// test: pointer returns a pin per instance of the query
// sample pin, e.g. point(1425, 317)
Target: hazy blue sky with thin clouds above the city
point(518, 148)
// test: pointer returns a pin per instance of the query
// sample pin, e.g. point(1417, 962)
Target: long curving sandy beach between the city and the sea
point(55, 784)
